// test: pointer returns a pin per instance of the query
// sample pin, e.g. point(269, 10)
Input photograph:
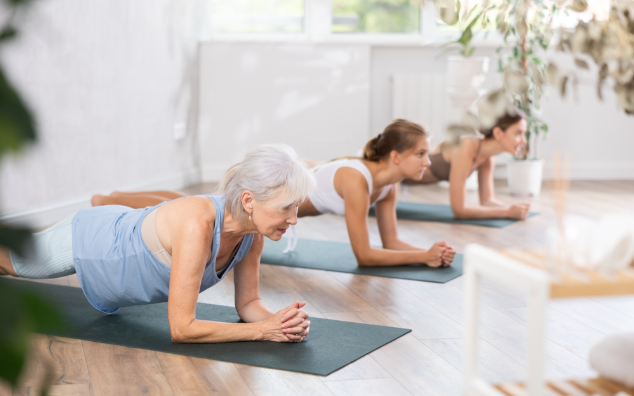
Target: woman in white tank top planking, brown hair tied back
point(349, 187)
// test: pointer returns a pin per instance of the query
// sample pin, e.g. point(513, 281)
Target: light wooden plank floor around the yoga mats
point(425, 362)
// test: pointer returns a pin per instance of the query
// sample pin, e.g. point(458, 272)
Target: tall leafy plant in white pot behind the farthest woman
point(526, 26)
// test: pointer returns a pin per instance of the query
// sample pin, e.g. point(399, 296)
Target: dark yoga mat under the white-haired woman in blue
point(331, 344)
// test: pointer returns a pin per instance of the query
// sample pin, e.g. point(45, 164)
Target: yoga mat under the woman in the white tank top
point(338, 257)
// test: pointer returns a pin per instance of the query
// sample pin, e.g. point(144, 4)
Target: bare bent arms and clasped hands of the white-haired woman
point(190, 224)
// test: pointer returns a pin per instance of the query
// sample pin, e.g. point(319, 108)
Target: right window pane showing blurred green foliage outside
point(375, 16)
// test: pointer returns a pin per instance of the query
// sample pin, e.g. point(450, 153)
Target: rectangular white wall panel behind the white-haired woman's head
point(314, 97)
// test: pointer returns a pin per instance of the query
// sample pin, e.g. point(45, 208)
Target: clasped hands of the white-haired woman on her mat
point(290, 324)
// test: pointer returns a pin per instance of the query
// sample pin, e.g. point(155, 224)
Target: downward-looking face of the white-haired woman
point(272, 221)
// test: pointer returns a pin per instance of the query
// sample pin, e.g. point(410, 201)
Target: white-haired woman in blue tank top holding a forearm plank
point(175, 250)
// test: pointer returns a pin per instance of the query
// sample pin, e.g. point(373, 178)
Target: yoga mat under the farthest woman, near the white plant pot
point(443, 214)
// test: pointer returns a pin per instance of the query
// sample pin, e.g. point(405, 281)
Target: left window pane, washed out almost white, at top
point(257, 16)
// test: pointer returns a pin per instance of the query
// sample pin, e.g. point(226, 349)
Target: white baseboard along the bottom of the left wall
point(50, 214)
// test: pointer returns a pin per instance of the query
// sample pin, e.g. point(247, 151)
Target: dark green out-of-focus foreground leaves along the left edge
point(22, 310)
